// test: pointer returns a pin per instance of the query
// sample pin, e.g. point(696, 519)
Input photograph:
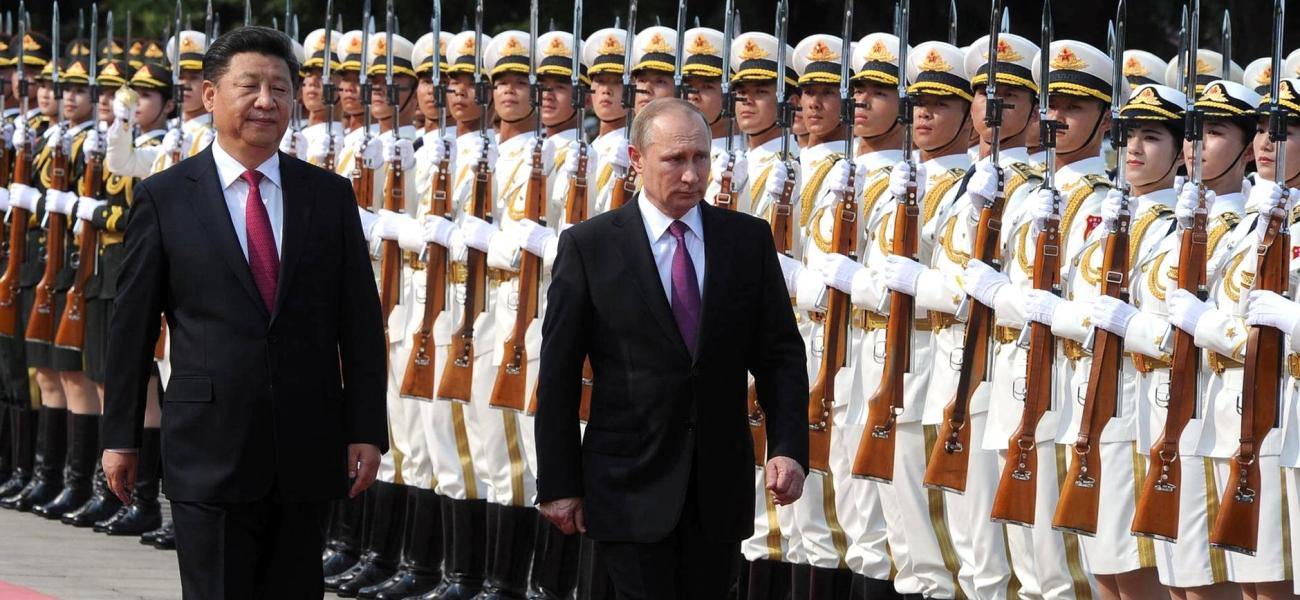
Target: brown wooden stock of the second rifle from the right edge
point(1159, 499)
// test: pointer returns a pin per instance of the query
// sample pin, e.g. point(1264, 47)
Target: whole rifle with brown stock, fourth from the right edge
point(1017, 489)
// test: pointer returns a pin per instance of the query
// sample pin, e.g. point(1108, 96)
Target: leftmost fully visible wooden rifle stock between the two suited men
point(418, 380)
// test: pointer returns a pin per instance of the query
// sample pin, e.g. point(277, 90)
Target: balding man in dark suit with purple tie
point(674, 302)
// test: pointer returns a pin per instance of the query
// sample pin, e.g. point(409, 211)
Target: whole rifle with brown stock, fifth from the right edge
point(950, 459)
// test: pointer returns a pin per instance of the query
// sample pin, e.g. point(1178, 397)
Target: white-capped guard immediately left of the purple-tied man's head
point(604, 55)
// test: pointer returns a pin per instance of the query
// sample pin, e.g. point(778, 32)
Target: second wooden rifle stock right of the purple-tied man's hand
point(876, 455)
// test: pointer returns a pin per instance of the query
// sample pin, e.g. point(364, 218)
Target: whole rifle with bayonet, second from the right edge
point(1159, 501)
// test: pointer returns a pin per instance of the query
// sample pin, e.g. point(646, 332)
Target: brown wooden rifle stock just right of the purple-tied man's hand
point(844, 241)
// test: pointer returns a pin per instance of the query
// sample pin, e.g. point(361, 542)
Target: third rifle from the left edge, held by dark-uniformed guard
point(72, 327)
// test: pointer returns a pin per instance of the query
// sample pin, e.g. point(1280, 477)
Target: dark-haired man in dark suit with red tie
point(276, 395)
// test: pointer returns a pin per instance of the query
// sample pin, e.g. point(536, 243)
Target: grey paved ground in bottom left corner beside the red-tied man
point(49, 560)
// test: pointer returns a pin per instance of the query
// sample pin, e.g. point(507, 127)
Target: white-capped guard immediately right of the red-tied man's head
point(323, 131)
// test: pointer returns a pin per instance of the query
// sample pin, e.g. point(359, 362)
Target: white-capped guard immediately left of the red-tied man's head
point(194, 131)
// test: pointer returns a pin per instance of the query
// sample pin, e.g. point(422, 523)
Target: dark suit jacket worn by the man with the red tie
point(257, 398)
